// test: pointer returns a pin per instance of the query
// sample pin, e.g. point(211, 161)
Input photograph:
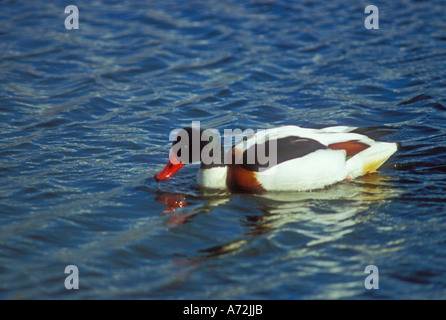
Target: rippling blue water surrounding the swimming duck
point(85, 117)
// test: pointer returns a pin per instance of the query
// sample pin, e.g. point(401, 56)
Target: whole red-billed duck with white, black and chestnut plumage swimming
point(300, 159)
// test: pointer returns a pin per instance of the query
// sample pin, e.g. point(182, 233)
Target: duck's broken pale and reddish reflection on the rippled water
point(311, 218)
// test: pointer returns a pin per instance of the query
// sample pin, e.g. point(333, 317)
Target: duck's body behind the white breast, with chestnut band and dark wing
point(305, 159)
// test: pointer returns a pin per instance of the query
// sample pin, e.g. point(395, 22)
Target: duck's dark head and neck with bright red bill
point(191, 145)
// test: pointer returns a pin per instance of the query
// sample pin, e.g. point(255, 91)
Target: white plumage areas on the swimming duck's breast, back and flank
point(315, 170)
